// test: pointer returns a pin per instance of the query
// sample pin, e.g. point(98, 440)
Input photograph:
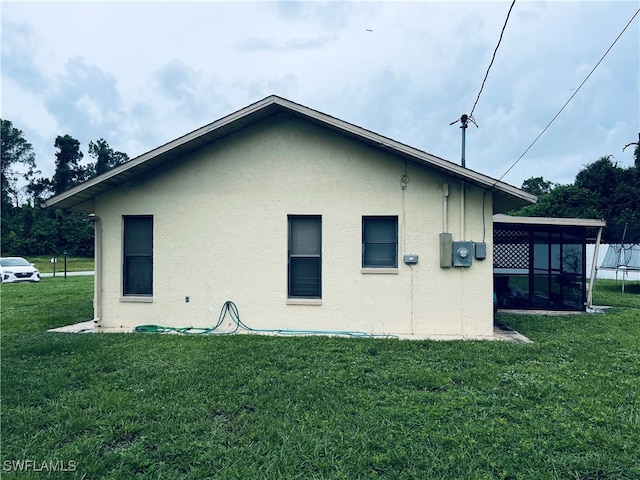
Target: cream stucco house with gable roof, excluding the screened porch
point(304, 221)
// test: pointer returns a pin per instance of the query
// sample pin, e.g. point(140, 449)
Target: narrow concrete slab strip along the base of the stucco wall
point(499, 333)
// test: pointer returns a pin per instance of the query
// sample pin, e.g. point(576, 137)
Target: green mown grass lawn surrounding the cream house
point(150, 406)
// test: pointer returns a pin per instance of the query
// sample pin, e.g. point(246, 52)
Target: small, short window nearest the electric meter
point(379, 241)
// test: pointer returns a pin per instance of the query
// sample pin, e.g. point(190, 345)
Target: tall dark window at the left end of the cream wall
point(138, 255)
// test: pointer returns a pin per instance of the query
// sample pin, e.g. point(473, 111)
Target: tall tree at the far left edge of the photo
point(17, 160)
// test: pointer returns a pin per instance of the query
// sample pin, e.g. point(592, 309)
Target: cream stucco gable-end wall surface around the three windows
point(220, 233)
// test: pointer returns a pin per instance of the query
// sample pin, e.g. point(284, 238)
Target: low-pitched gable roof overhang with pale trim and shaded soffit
point(505, 196)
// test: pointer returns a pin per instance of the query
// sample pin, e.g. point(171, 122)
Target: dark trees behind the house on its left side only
point(27, 229)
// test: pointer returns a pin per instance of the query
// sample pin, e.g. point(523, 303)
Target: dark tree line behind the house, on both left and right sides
point(602, 189)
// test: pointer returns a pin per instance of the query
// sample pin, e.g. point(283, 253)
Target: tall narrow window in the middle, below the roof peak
point(305, 259)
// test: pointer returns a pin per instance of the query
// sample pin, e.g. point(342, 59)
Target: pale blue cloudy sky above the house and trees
point(142, 73)
